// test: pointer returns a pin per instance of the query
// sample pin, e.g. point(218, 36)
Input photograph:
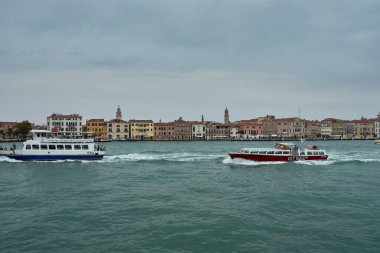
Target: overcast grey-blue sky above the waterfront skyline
point(165, 59)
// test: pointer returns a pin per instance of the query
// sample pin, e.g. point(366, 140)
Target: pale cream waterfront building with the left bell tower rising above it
point(117, 128)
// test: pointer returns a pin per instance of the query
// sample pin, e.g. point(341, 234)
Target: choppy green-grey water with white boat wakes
point(190, 197)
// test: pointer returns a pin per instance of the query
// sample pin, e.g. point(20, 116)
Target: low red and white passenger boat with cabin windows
point(281, 152)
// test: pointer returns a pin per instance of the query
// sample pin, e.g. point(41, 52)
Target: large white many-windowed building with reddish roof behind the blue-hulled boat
point(65, 125)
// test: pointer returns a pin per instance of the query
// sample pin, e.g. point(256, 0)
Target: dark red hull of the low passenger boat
point(276, 158)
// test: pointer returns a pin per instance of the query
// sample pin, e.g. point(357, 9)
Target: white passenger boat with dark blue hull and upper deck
point(45, 148)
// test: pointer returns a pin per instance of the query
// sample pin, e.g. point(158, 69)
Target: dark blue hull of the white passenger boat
point(54, 157)
